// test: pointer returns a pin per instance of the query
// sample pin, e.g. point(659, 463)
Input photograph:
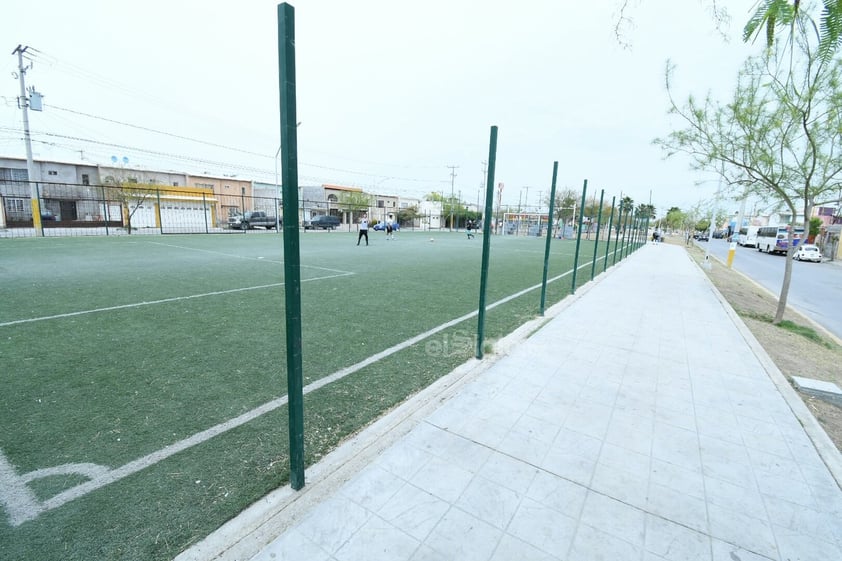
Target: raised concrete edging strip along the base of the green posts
point(252, 530)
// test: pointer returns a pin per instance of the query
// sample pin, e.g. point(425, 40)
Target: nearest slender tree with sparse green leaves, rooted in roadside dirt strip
point(779, 137)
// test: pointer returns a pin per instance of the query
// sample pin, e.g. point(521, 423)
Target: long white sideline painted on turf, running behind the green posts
point(30, 509)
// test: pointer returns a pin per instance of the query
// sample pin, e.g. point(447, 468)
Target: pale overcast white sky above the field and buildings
point(389, 92)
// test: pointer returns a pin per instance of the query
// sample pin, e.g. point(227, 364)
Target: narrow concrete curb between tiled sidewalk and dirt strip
point(825, 447)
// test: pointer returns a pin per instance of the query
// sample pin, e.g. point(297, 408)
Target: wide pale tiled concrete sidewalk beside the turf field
point(642, 422)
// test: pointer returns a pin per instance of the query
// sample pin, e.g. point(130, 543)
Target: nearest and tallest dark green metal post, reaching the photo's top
point(292, 254)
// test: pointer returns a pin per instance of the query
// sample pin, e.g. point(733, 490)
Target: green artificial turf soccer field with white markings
point(144, 377)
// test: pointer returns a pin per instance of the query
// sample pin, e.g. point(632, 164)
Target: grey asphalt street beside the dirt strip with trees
point(815, 290)
